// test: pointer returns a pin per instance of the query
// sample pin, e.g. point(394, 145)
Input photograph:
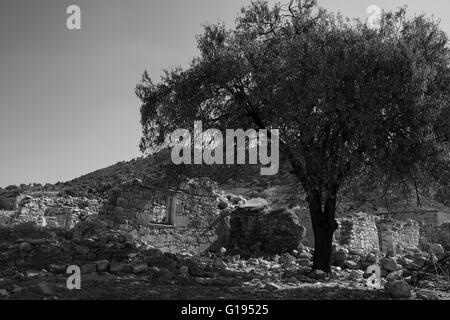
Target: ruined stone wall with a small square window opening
point(183, 220)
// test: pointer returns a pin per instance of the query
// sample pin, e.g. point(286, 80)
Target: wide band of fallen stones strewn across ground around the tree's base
point(97, 248)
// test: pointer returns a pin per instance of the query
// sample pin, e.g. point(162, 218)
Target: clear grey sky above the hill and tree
point(67, 101)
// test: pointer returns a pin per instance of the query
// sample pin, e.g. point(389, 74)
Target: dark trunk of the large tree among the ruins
point(324, 225)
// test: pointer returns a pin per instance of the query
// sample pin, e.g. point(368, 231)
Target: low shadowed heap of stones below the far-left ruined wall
point(29, 246)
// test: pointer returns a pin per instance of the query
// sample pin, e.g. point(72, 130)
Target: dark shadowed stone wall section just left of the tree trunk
point(258, 230)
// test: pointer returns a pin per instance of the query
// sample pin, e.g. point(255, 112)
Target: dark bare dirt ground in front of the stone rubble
point(134, 287)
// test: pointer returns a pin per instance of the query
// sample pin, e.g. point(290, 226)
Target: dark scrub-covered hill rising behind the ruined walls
point(365, 194)
